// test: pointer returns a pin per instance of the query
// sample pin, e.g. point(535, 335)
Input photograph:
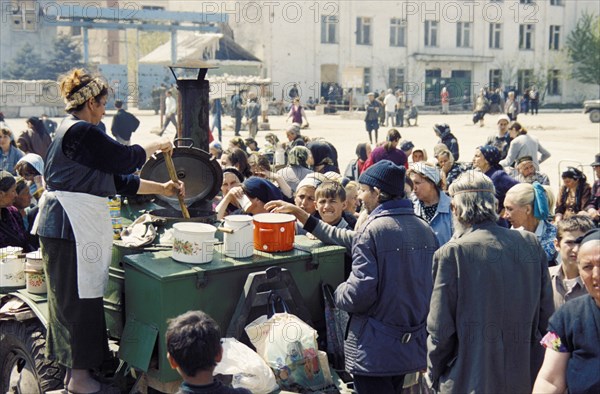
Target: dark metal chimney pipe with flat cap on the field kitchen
point(193, 109)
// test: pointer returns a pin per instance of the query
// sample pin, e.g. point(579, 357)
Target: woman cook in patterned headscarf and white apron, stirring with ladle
point(84, 166)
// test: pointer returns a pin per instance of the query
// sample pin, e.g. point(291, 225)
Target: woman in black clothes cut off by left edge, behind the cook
point(12, 229)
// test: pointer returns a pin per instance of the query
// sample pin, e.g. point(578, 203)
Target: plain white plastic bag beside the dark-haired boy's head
point(248, 369)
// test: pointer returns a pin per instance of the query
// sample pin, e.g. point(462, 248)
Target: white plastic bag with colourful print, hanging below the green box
point(289, 346)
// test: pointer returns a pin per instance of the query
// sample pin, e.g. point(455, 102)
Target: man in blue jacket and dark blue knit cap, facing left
point(389, 287)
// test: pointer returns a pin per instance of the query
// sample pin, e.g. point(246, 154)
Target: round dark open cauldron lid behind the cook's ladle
point(201, 174)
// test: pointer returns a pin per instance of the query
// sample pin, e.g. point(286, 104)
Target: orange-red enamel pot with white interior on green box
point(274, 232)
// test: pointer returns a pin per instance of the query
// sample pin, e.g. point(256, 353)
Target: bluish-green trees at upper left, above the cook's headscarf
point(29, 65)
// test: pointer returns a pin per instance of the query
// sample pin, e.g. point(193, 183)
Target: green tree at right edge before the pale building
point(583, 48)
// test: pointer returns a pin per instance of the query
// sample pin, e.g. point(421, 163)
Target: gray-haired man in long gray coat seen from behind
point(491, 299)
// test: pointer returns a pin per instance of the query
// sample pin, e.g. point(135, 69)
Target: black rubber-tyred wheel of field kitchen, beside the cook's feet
point(23, 367)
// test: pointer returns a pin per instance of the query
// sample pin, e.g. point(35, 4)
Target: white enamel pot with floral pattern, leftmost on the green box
point(193, 243)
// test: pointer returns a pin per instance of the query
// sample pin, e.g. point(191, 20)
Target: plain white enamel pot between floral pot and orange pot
point(239, 243)
